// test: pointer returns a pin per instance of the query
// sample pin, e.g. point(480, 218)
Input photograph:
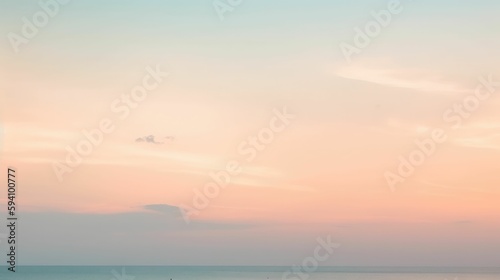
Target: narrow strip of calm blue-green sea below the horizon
point(241, 273)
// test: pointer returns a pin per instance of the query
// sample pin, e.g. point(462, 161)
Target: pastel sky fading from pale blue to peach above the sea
point(263, 54)
